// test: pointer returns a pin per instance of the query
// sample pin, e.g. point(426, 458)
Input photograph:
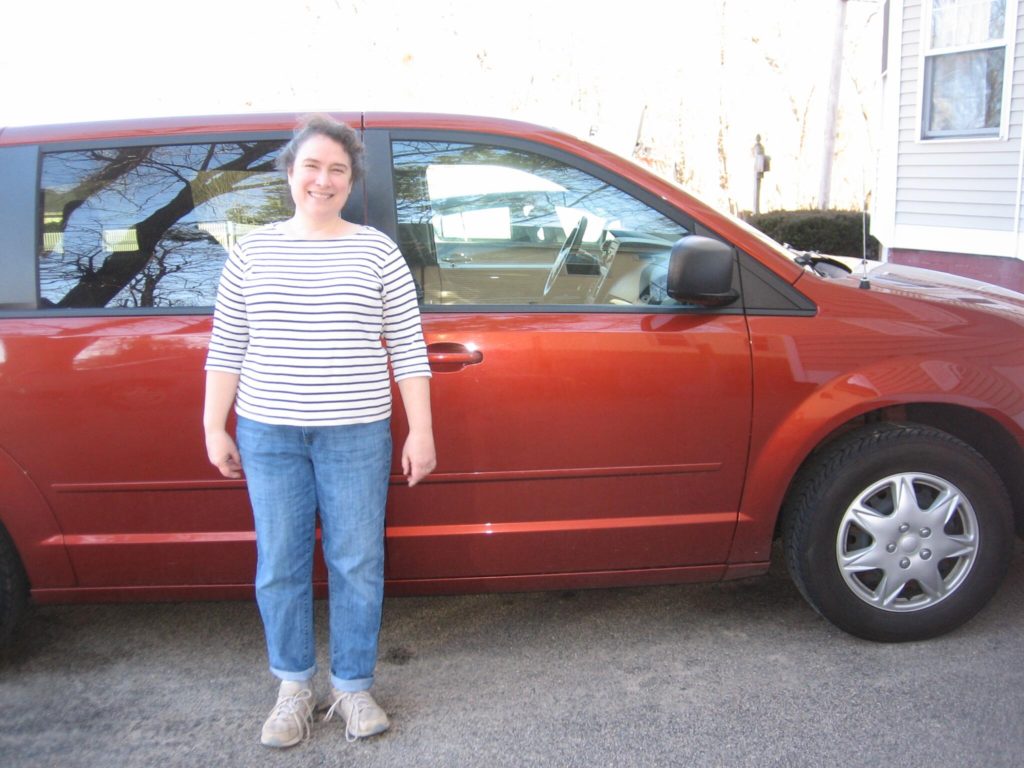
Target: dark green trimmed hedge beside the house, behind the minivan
point(838, 233)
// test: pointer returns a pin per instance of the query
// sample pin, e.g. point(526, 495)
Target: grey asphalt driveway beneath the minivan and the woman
point(738, 674)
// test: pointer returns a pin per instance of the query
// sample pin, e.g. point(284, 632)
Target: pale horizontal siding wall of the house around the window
point(952, 199)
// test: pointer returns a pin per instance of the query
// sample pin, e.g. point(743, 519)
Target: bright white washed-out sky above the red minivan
point(704, 76)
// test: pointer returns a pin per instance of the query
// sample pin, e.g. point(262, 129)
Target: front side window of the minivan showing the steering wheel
point(484, 225)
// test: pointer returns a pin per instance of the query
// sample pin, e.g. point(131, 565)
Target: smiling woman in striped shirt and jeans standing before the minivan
point(303, 309)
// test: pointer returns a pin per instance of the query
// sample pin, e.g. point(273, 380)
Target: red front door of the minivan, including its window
point(585, 421)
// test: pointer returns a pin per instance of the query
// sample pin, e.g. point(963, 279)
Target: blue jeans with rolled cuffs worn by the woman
point(343, 474)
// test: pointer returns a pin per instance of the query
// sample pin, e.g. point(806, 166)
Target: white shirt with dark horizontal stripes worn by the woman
point(303, 324)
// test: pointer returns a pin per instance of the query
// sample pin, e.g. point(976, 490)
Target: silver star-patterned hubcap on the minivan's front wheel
point(908, 542)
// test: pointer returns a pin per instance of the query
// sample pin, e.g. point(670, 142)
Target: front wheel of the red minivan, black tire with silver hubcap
point(899, 533)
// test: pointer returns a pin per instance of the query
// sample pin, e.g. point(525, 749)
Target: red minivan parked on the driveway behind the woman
point(630, 388)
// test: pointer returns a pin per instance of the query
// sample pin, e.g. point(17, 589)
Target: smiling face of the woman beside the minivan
point(321, 179)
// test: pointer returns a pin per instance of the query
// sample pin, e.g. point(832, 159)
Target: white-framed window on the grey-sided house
point(965, 68)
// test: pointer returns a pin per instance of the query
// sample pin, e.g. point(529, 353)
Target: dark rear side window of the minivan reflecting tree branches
point(150, 227)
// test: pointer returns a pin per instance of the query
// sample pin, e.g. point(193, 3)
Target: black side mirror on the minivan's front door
point(701, 272)
